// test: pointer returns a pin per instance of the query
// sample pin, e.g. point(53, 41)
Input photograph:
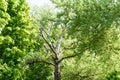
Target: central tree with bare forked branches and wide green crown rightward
point(80, 26)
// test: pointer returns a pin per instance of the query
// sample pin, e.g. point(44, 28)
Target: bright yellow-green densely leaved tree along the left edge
point(16, 38)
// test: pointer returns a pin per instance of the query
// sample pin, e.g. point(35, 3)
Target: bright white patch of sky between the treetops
point(40, 2)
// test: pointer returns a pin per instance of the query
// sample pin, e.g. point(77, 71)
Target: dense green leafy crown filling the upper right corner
point(95, 24)
